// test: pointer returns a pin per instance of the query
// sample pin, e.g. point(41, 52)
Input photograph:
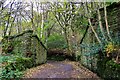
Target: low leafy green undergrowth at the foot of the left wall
point(14, 65)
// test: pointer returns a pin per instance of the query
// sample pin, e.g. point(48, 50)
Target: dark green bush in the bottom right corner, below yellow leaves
point(108, 69)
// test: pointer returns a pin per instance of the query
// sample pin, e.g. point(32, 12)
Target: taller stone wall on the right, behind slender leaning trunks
point(87, 57)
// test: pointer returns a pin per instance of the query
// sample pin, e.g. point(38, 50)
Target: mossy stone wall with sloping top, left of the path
point(25, 44)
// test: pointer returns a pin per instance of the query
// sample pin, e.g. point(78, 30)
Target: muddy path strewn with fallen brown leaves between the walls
point(61, 69)
